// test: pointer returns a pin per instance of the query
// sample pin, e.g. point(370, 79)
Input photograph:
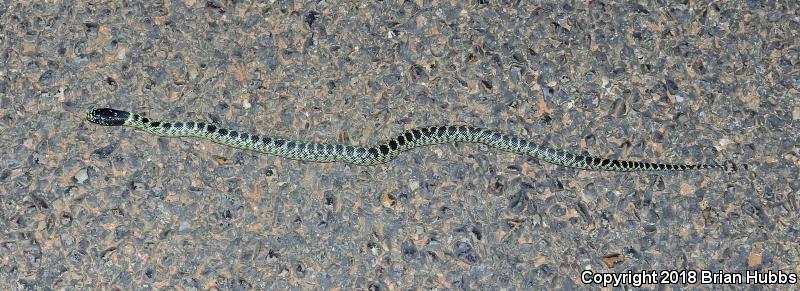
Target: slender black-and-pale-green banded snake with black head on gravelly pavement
point(374, 154)
